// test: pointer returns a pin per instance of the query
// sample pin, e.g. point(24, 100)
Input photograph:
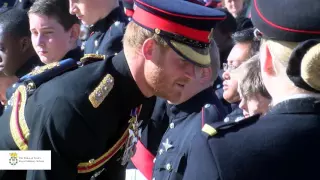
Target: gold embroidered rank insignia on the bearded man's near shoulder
point(101, 91)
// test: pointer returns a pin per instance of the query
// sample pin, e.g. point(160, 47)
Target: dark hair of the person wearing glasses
point(247, 36)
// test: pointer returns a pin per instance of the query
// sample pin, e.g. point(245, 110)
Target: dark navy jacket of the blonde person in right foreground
point(283, 144)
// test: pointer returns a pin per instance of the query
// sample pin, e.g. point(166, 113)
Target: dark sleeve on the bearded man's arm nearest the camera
point(62, 131)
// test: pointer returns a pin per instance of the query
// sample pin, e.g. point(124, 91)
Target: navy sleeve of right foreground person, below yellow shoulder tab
point(201, 163)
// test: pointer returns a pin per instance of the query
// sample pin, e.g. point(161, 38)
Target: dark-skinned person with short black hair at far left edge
point(17, 56)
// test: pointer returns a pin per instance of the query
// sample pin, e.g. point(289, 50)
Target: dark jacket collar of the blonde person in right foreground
point(303, 105)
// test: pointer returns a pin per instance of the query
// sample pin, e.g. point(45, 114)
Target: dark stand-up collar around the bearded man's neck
point(124, 80)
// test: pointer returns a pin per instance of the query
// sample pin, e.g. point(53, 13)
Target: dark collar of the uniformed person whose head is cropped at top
point(104, 24)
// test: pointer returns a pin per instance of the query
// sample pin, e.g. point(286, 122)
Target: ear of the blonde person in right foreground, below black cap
point(267, 64)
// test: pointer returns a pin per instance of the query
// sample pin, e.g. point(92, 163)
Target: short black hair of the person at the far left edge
point(16, 22)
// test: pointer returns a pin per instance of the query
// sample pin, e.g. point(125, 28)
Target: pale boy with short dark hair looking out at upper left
point(54, 32)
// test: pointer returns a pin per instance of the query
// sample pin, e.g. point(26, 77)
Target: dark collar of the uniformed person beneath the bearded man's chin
point(192, 105)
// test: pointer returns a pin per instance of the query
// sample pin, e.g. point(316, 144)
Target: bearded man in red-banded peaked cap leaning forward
point(89, 117)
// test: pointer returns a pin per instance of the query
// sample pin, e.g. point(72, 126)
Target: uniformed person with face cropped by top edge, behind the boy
point(106, 21)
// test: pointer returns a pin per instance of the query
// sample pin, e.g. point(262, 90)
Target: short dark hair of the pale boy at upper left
point(58, 9)
